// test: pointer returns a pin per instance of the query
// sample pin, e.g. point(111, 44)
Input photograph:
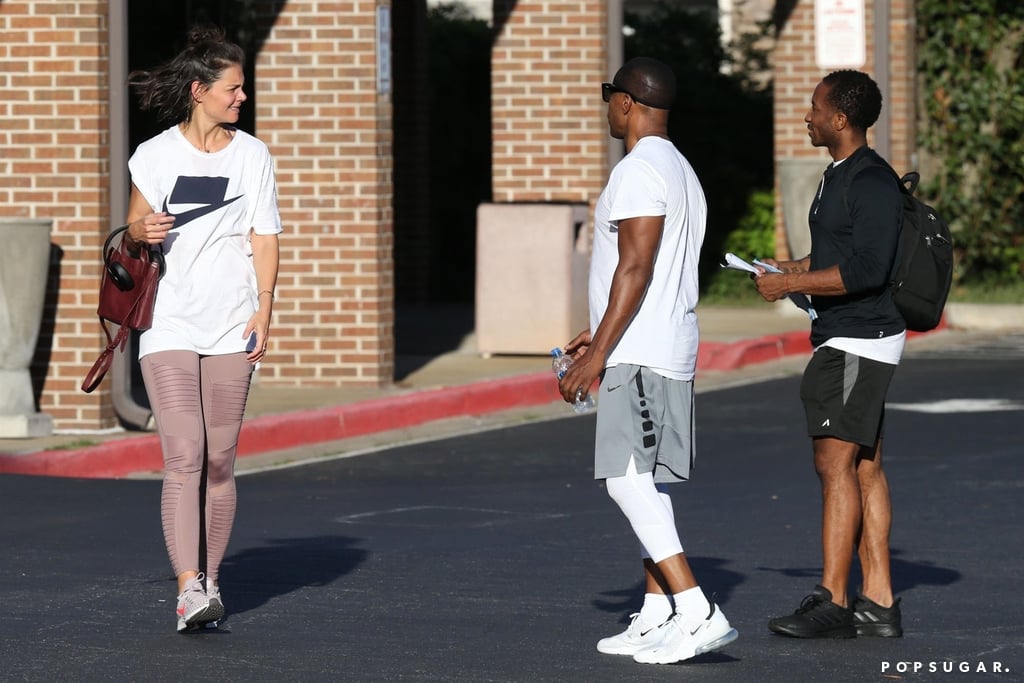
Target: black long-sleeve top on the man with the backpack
point(860, 234)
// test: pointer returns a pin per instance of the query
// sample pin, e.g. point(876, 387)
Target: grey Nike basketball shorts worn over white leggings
point(649, 417)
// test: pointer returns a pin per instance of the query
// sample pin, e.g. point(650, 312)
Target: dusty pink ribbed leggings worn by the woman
point(198, 404)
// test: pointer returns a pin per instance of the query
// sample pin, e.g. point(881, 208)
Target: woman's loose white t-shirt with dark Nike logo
point(208, 292)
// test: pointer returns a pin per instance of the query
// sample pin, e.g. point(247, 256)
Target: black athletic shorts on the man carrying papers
point(845, 396)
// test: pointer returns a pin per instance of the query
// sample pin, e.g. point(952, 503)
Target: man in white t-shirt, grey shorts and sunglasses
point(643, 344)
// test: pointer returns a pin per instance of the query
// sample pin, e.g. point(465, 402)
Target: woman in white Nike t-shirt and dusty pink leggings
point(205, 193)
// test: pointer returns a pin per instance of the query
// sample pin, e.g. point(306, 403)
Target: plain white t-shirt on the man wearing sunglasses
point(655, 180)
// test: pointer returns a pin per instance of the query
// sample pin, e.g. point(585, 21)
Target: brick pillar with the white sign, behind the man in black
point(797, 75)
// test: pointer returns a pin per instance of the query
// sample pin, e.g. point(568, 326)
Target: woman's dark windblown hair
point(167, 90)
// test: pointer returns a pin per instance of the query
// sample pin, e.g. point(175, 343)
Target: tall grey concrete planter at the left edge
point(25, 261)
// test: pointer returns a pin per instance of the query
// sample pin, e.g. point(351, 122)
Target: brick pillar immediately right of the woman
point(330, 133)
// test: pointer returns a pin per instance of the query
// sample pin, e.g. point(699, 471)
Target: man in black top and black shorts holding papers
point(859, 338)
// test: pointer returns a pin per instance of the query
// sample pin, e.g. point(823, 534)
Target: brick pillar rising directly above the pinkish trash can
point(549, 124)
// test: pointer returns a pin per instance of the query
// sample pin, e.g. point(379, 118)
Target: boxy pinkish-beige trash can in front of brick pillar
point(532, 268)
